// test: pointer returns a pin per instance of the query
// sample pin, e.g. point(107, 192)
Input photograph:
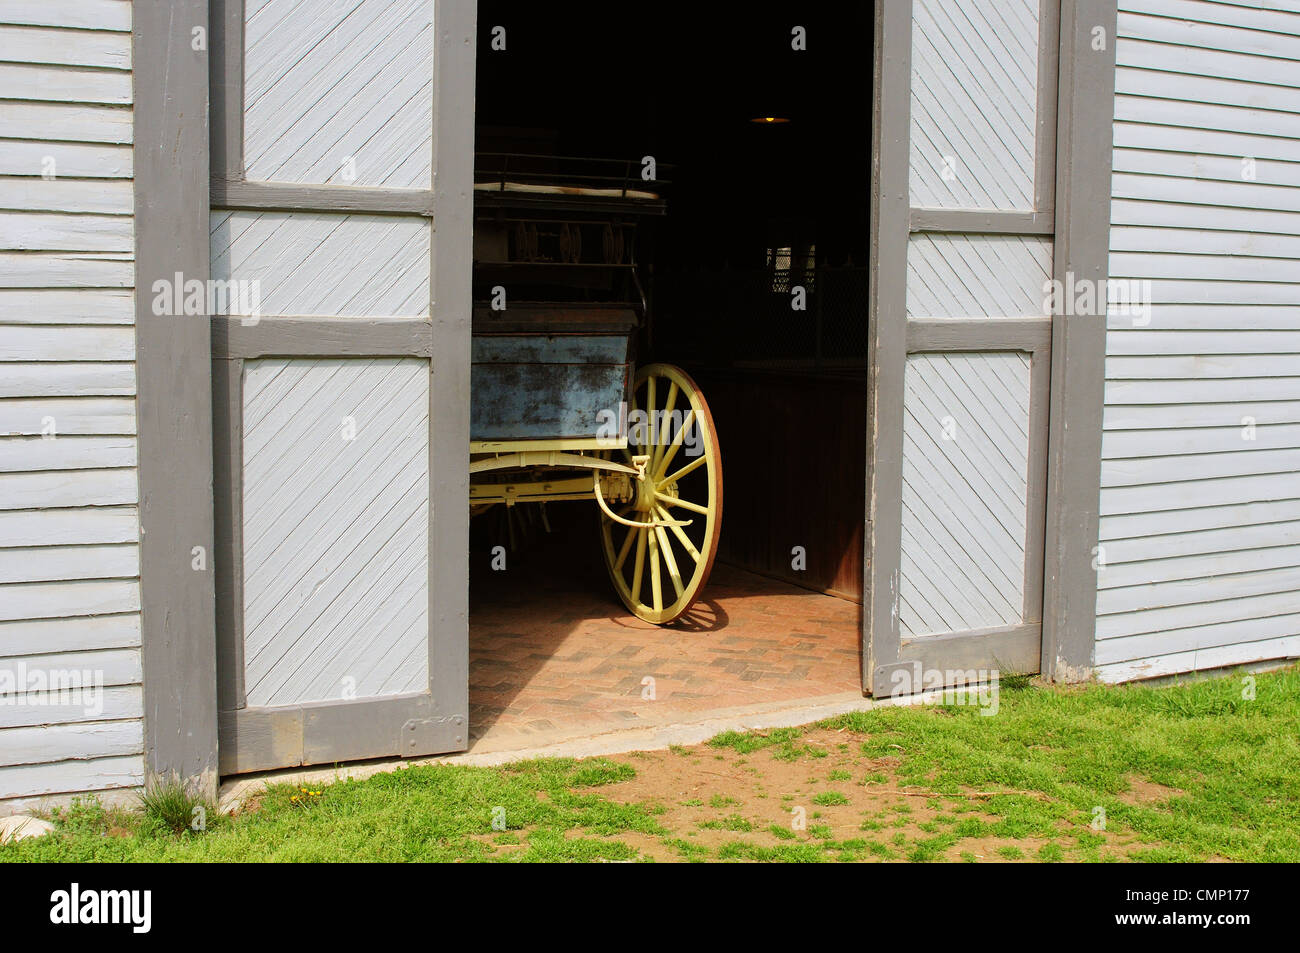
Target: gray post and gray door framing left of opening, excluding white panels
point(183, 406)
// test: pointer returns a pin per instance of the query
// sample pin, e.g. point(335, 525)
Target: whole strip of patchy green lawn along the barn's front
point(1032, 777)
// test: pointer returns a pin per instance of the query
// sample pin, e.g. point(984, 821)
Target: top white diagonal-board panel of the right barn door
point(974, 103)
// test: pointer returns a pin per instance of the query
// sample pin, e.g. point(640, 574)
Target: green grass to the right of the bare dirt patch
point(1230, 760)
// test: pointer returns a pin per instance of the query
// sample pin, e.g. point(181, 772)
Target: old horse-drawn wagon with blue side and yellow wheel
point(560, 409)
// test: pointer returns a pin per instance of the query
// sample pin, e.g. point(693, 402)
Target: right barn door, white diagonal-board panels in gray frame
point(963, 246)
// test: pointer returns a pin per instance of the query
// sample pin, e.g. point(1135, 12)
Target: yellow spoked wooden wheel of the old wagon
point(661, 570)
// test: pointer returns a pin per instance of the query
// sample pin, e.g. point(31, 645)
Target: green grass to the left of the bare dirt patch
point(426, 813)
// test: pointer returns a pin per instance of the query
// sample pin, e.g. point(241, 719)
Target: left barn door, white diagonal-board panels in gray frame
point(341, 241)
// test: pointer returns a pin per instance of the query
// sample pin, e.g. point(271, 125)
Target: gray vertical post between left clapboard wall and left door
point(175, 395)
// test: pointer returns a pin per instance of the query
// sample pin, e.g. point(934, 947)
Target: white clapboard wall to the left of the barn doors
point(70, 531)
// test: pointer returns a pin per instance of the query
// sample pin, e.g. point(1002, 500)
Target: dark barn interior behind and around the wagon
point(764, 155)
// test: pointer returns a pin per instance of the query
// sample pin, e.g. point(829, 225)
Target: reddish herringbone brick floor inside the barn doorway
point(553, 652)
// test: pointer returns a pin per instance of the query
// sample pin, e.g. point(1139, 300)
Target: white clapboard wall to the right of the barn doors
point(1201, 500)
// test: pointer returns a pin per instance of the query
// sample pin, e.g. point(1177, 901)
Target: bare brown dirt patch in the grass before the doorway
point(818, 798)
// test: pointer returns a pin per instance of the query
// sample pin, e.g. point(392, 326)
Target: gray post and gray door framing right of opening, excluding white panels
point(1073, 170)
